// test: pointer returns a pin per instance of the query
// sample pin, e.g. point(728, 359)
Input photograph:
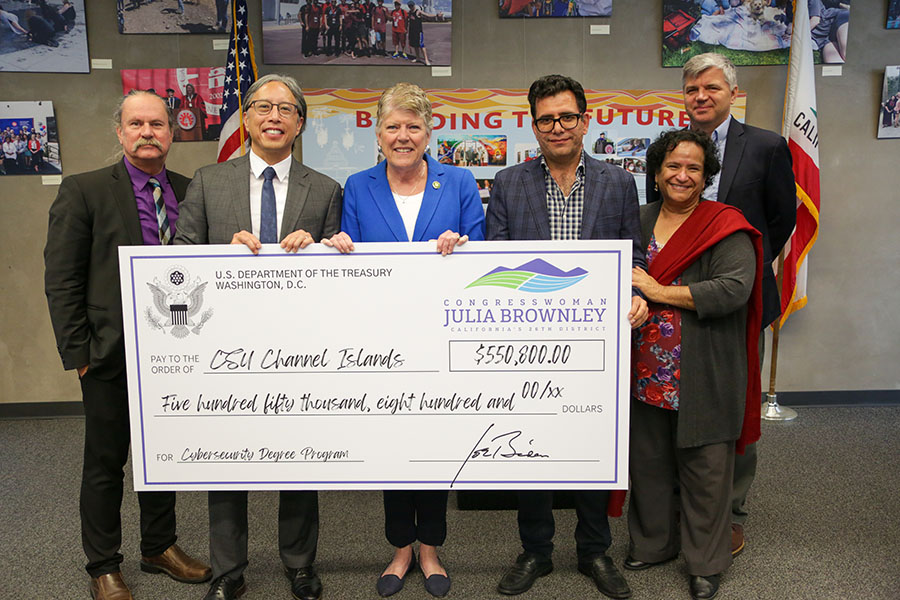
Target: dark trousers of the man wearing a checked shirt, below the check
point(536, 524)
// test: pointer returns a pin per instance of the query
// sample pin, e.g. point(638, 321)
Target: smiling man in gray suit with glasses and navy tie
point(243, 201)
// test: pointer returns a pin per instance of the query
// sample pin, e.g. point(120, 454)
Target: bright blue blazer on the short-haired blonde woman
point(451, 201)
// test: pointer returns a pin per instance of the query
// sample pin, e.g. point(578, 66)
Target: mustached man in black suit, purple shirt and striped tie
point(132, 202)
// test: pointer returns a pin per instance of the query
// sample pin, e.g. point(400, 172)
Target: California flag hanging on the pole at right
point(801, 130)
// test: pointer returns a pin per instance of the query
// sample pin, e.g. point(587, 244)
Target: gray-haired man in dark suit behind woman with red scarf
point(756, 177)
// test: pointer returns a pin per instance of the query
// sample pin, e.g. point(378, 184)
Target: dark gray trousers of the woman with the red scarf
point(704, 499)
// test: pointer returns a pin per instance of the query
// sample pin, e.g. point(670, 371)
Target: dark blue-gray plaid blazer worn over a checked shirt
point(518, 206)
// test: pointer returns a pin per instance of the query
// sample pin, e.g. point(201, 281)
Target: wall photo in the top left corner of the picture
point(43, 37)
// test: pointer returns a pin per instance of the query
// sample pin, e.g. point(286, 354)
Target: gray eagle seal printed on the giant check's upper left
point(178, 300)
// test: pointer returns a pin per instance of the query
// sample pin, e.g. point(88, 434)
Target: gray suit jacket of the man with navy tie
point(217, 204)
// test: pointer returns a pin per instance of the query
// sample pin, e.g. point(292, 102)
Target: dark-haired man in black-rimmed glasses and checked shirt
point(565, 195)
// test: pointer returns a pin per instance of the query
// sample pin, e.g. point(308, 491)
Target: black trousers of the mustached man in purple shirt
point(106, 439)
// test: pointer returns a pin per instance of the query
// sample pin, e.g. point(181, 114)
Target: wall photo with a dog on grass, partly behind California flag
point(751, 32)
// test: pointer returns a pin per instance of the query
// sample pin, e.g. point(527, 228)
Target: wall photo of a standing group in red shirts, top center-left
point(352, 32)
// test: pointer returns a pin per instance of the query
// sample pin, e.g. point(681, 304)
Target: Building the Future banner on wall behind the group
point(487, 130)
